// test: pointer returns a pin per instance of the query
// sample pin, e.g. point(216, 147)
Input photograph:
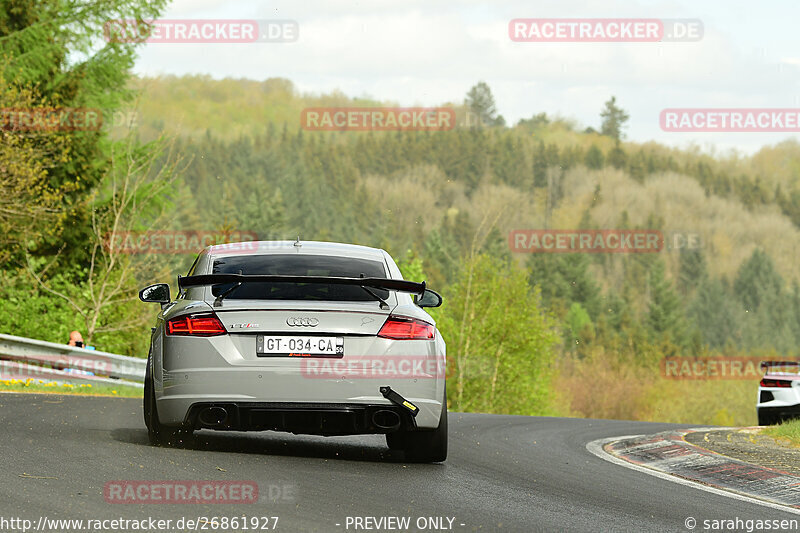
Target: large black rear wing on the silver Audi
point(377, 283)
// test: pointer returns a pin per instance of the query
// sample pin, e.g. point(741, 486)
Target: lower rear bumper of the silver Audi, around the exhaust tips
point(262, 399)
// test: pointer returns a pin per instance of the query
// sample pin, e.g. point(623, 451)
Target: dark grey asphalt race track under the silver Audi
point(504, 473)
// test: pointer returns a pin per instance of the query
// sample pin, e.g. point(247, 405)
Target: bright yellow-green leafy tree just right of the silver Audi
point(496, 368)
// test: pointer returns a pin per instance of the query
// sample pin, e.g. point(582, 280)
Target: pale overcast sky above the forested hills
point(430, 52)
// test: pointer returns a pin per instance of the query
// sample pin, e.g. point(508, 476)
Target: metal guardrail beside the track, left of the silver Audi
point(23, 358)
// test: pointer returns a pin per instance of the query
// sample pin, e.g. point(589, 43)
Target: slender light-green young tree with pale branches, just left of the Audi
point(133, 193)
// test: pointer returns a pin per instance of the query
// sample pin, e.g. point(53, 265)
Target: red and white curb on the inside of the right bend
point(669, 456)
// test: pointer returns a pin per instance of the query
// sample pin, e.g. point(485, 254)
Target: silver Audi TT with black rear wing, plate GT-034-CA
point(305, 337)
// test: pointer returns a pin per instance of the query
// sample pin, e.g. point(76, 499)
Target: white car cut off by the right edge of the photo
point(778, 392)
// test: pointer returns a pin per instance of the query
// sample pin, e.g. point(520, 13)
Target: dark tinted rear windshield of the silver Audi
point(298, 265)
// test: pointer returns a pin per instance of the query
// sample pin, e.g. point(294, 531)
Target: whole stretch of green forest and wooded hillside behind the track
point(569, 334)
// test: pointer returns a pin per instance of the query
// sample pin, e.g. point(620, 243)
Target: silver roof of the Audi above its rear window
point(305, 247)
